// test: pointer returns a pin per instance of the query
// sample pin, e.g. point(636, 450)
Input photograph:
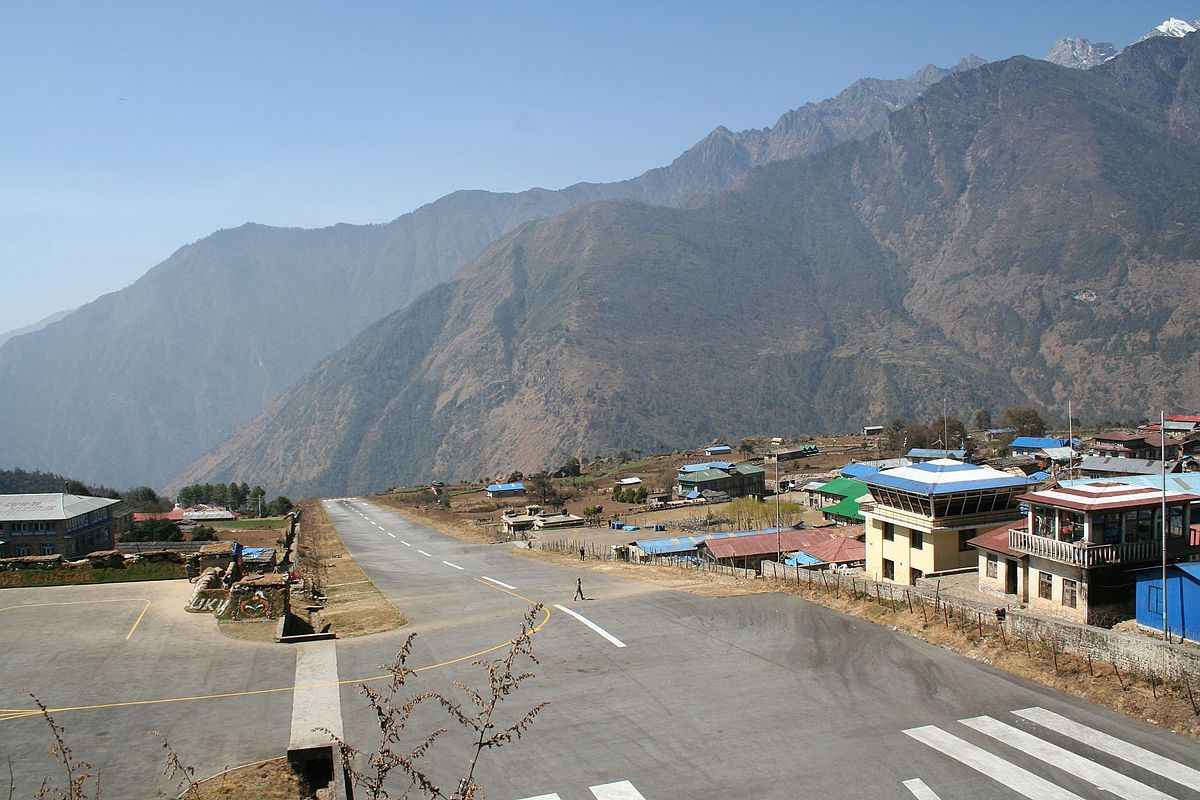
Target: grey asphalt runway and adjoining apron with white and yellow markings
point(655, 694)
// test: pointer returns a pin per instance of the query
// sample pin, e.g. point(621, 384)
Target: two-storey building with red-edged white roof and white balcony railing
point(1075, 554)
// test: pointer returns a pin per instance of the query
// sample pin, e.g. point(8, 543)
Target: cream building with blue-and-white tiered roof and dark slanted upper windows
point(921, 519)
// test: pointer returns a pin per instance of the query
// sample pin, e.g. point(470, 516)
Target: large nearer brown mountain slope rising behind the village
point(1019, 232)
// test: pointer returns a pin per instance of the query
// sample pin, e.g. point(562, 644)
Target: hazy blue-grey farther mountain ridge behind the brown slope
point(133, 388)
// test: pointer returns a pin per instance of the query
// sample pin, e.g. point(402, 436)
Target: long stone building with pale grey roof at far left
point(65, 525)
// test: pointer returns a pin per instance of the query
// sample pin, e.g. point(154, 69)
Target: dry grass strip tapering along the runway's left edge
point(355, 606)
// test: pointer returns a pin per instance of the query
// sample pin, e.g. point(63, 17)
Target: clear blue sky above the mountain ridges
point(131, 129)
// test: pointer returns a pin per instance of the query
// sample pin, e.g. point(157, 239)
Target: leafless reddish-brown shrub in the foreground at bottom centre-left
point(400, 753)
